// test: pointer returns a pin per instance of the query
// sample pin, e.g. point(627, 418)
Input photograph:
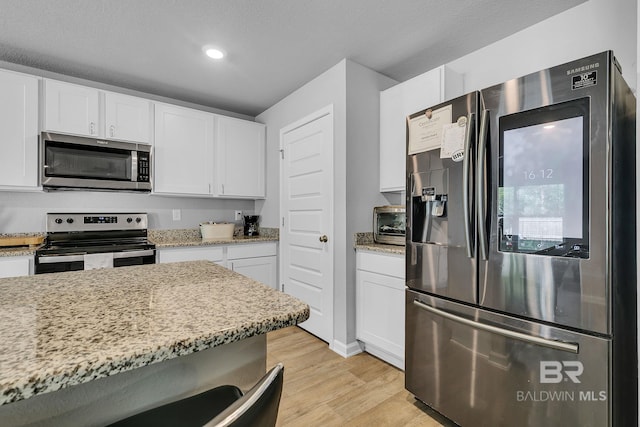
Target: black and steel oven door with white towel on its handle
point(75, 262)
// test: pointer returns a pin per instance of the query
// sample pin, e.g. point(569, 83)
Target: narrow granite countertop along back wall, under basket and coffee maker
point(192, 237)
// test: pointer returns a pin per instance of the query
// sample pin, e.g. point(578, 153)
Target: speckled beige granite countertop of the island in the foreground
point(61, 329)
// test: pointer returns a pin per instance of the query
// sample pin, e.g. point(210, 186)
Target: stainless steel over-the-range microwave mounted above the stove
point(75, 162)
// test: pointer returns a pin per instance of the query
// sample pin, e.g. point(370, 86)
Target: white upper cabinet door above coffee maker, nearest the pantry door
point(240, 158)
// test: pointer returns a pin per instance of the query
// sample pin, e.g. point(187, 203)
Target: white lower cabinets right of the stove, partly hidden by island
point(258, 261)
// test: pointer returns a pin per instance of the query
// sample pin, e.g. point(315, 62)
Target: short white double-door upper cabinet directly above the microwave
point(82, 110)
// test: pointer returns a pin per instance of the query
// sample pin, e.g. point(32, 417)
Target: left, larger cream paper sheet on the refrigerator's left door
point(425, 131)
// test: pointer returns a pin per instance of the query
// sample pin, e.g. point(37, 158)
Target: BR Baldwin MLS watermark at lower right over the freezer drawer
point(557, 372)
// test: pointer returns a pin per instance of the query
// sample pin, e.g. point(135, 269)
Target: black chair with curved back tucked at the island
point(219, 407)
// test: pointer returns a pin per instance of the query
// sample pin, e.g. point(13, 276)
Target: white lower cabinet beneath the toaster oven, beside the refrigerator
point(380, 305)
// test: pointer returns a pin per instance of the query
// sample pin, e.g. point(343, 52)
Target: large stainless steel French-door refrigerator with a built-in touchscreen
point(521, 251)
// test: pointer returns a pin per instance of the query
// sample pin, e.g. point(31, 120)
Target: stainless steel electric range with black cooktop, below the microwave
point(77, 241)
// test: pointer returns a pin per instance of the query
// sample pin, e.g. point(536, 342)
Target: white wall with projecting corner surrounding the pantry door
point(353, 91)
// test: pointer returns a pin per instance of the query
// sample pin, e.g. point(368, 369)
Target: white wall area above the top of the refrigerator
point(589, 28)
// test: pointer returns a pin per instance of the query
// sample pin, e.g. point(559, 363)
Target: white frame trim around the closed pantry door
point(316, 115)
